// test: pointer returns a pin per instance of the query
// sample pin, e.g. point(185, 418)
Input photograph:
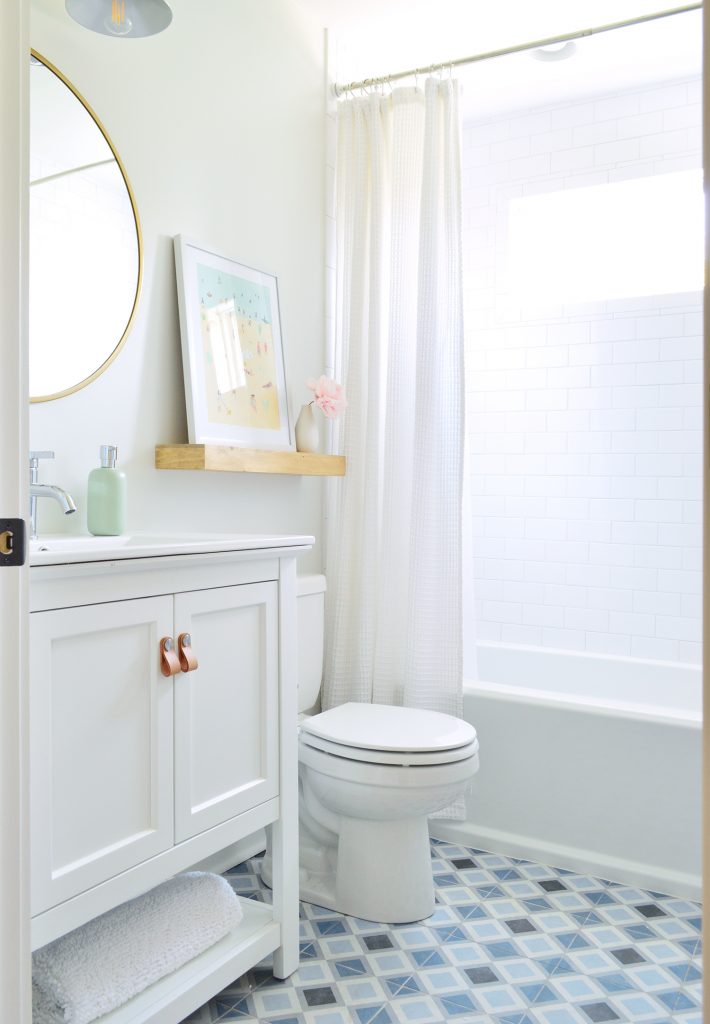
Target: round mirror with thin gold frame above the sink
point(86, 248)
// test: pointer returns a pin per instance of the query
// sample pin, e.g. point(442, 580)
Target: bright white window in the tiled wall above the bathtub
point(642, 237)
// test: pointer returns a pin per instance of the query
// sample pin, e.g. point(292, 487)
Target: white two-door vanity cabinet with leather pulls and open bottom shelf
point(136, 776)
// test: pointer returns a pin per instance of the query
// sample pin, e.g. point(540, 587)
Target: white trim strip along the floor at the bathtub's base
point(631, 873)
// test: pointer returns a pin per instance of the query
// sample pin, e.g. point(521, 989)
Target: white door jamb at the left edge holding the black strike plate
point(15, 917)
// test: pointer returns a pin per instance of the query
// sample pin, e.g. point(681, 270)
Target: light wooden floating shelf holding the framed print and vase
point(222, 459)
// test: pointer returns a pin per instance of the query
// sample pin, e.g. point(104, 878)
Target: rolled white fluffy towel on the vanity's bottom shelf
point(102, 965)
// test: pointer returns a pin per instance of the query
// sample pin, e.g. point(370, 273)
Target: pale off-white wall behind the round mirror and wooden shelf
point(220, 122)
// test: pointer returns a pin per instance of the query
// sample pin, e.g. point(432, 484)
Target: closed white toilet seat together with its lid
point(391, 736)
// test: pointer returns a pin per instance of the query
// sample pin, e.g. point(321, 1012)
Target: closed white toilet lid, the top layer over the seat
point(384, 729)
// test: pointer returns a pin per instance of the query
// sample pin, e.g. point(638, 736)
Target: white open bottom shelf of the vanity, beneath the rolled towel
point(177, 996)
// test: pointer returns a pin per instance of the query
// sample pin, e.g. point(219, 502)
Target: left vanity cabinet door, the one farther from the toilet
point(102, 735)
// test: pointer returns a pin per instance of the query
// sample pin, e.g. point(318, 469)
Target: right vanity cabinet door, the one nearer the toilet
point(227, 711)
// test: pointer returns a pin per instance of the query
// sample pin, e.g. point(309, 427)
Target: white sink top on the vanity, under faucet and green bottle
point(59, 550)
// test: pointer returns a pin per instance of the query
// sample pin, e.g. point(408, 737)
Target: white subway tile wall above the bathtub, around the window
point(584, 422)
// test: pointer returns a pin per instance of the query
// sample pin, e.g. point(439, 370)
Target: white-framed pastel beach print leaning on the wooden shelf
point(233, 357)
